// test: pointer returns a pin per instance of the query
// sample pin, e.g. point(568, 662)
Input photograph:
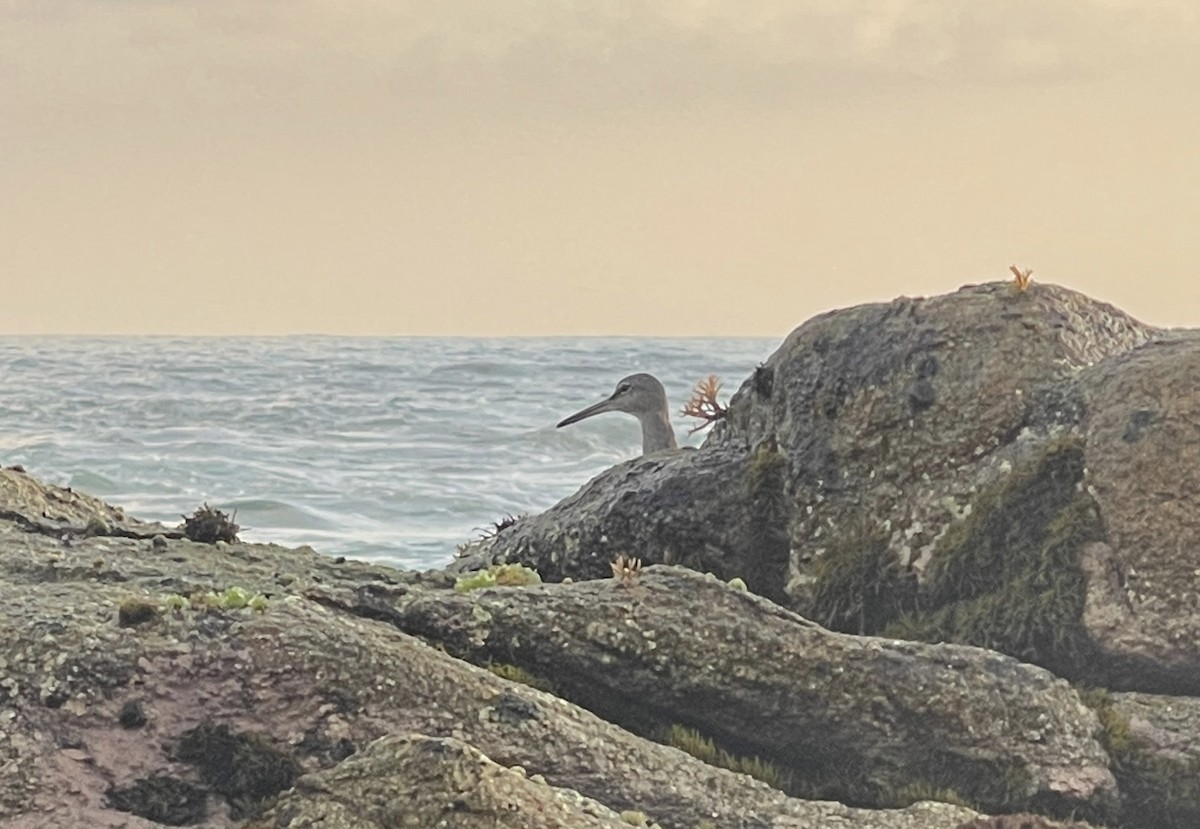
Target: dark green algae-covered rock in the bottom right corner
point(1157, 791)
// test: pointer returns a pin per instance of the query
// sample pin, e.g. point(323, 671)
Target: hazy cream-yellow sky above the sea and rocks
point(520, 167)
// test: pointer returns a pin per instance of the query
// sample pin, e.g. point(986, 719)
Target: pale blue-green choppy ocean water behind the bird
point(386, 449)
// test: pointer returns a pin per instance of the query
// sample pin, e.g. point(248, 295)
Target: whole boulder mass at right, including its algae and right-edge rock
point(1003, 468)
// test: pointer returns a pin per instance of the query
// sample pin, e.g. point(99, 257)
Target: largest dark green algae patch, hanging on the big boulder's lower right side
point(1009, 578)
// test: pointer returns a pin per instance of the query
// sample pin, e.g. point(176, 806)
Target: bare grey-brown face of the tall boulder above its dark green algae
point(838, 436)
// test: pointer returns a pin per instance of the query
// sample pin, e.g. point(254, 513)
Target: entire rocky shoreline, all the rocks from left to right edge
point(965, 524)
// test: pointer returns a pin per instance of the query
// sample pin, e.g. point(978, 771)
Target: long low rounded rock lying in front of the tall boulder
point(899, 714)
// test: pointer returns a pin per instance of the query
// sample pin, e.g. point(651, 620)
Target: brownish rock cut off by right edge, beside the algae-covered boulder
point(1144, 472)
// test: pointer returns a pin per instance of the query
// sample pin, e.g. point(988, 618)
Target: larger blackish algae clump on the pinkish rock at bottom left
point(244, 768)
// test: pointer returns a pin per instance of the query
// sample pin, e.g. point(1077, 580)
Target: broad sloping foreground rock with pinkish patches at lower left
point(307, 680)
